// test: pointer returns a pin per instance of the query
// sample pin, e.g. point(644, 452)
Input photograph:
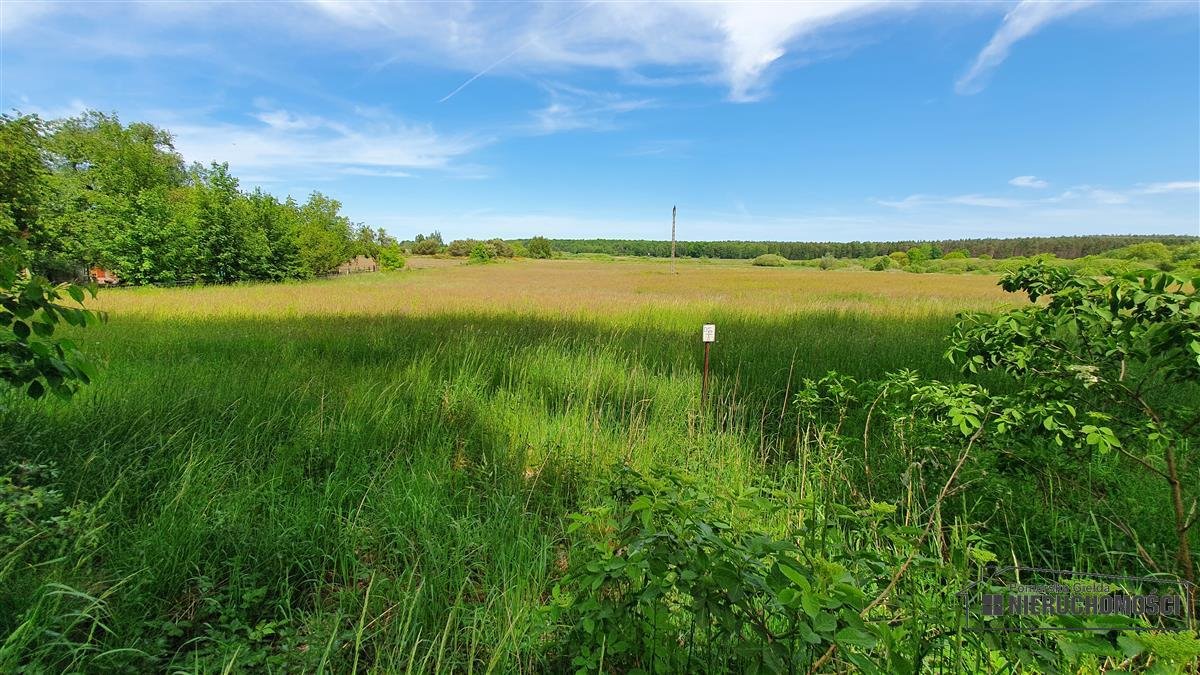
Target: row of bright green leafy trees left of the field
point(89, 192)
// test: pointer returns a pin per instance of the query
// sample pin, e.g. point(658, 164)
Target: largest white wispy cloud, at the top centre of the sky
point(733, 44)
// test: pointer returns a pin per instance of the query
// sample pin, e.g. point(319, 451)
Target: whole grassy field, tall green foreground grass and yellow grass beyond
point(376, 471)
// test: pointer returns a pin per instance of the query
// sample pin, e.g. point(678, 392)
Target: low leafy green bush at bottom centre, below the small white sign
point(664, 581)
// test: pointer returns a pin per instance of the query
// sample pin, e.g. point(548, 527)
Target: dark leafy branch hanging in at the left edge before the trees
point(32, 357)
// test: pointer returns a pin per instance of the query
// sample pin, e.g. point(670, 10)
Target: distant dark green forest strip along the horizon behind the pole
point(1060, 247)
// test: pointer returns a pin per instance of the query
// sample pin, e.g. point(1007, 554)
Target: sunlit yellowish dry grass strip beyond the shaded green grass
point(579, 289)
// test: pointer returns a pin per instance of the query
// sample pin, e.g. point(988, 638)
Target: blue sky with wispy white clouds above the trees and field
point(788, 122)
